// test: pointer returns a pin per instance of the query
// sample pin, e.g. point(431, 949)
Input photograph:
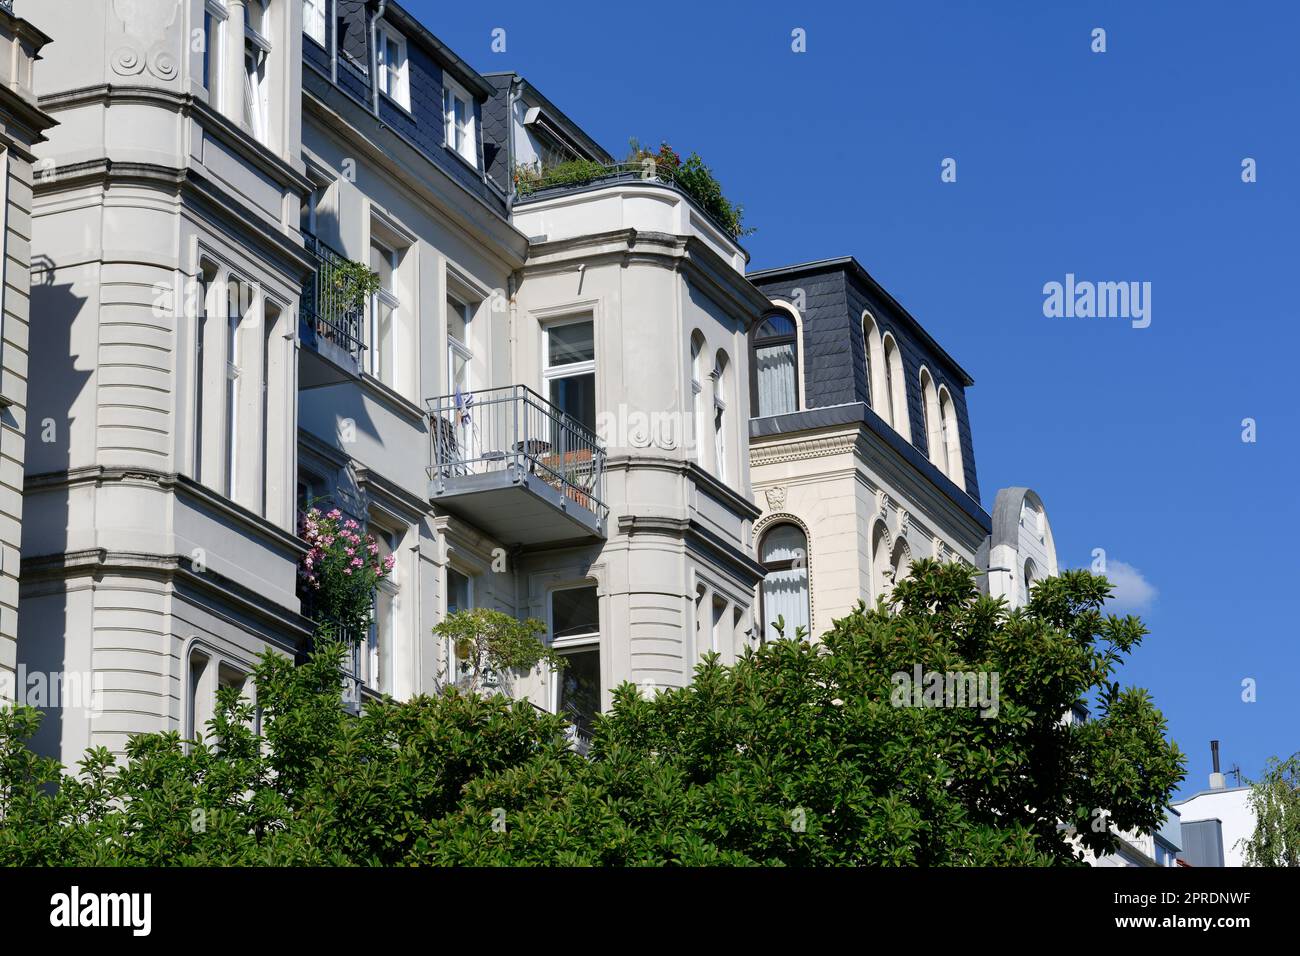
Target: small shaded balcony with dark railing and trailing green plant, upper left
point(331, 327)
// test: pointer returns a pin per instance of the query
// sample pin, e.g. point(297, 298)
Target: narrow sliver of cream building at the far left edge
point(23, 127)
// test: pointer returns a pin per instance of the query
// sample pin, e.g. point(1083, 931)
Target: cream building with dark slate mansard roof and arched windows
point(863, 457)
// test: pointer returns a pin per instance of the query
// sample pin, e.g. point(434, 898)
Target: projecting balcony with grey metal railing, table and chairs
point(515, 466)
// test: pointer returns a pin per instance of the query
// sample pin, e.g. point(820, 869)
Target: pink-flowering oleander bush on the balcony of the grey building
point(341, 569)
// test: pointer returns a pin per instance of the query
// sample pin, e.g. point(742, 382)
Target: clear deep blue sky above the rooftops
point(1124, 166)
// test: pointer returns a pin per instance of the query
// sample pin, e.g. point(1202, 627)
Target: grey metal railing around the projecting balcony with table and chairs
point(515, 429)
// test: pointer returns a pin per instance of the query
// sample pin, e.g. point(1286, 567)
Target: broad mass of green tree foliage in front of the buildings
point(796, 755)
